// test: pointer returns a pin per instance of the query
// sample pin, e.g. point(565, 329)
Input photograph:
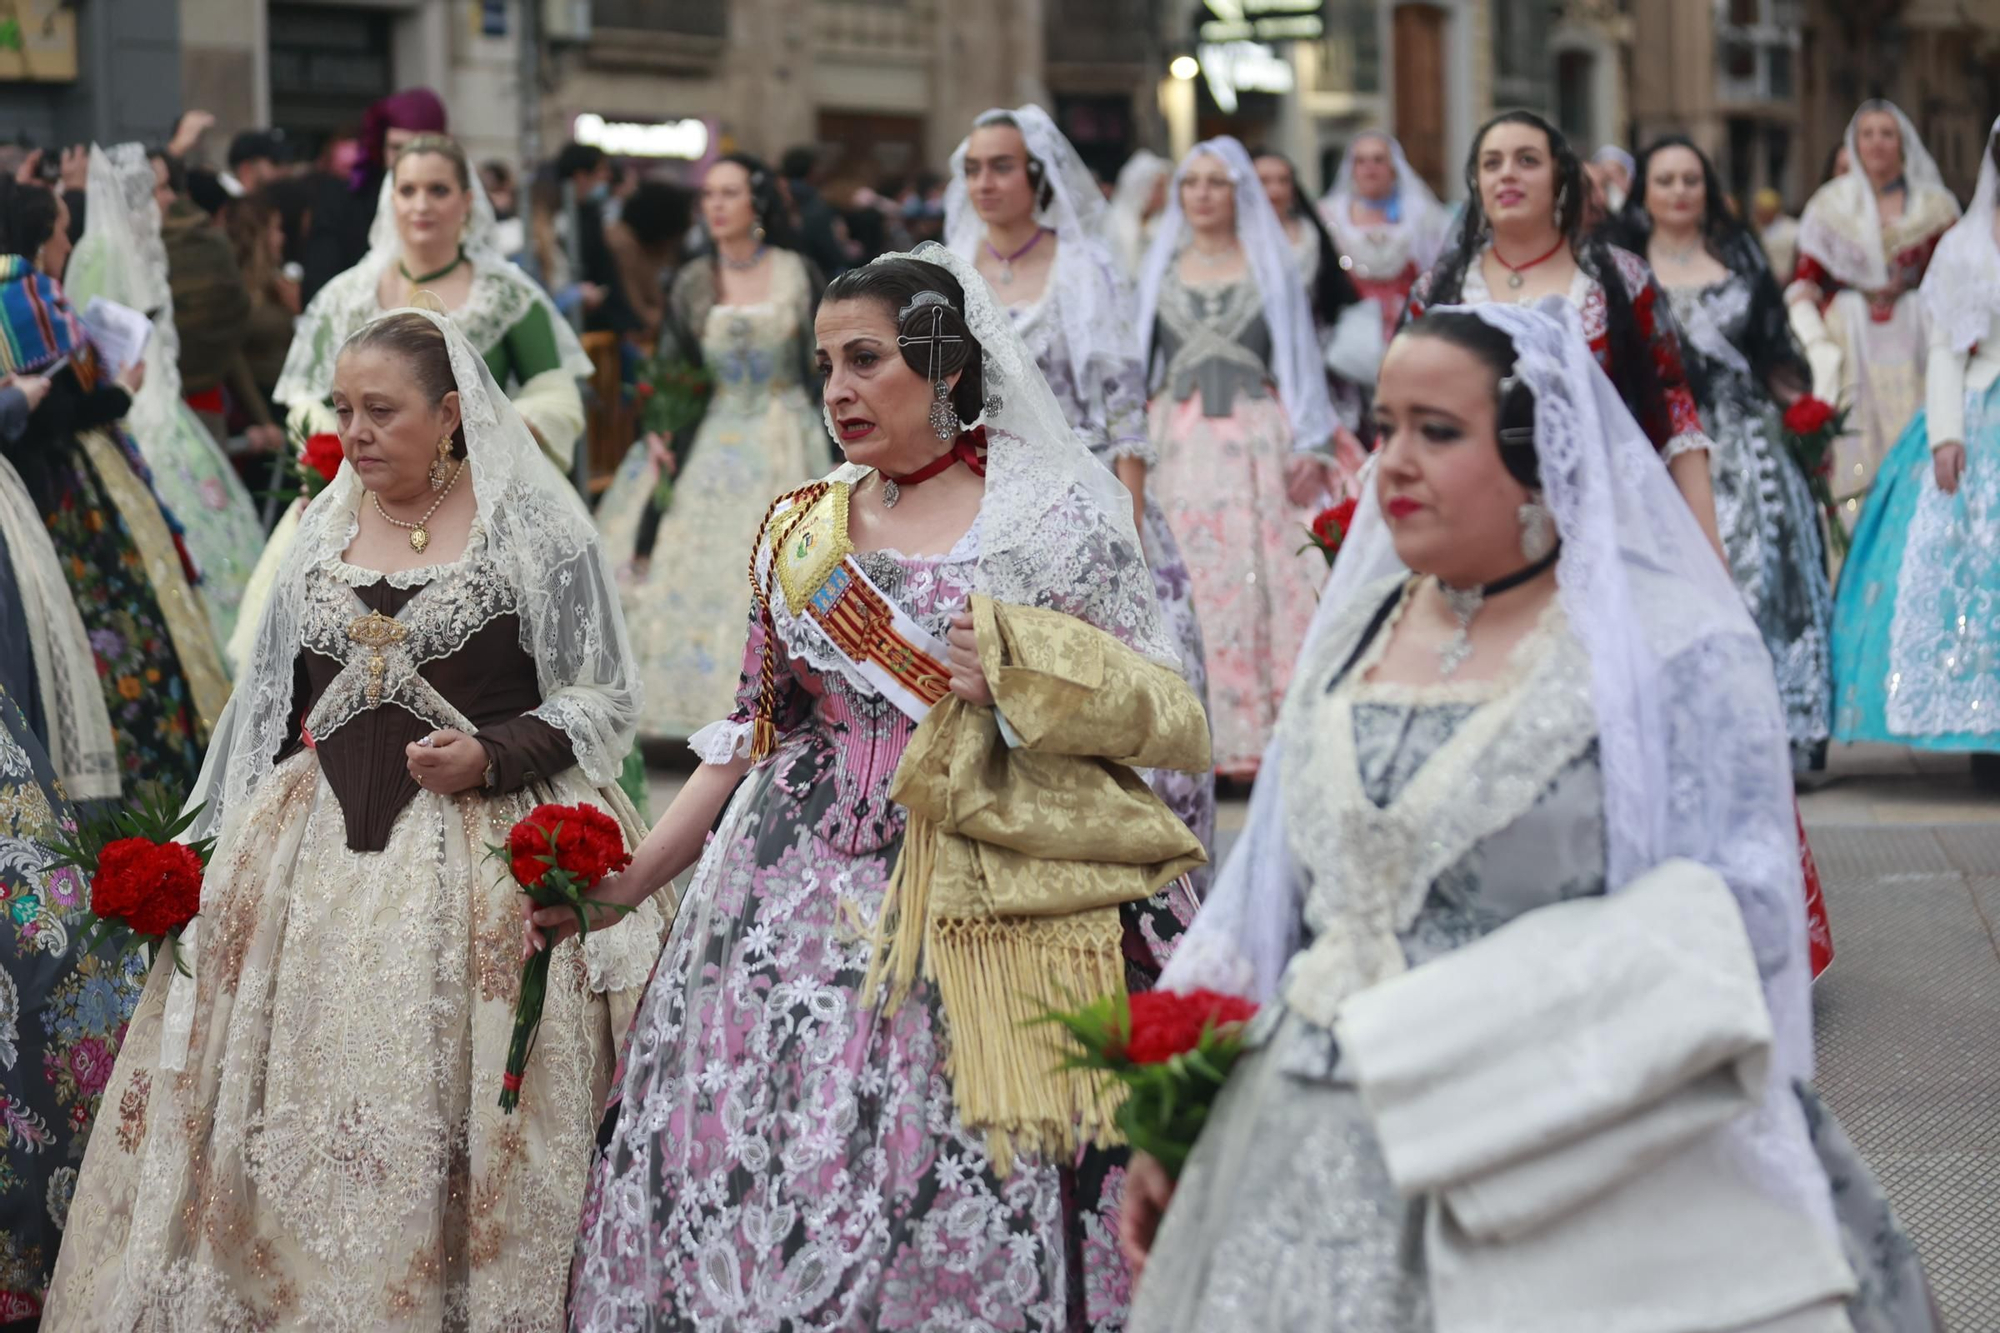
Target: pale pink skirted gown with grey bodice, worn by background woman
point(1223, 443)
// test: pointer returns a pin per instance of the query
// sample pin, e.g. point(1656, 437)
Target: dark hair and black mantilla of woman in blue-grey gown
point(1767, 335)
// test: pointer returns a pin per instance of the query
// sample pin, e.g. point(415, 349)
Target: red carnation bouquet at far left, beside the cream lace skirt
point(145, 884)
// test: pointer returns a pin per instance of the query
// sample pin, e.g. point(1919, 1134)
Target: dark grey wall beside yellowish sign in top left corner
point(127, 79)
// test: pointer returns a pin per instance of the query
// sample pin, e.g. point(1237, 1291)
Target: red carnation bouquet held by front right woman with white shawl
point(1173, 1054)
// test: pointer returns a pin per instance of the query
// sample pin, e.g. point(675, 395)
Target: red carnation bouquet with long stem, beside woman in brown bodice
point(557, 856)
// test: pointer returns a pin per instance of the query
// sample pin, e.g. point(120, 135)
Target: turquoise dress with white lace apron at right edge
point(1917, 619)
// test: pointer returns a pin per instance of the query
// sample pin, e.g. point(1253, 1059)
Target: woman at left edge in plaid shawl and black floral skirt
point(157, 657)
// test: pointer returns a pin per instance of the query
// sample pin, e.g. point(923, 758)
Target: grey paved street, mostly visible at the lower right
point(1909, 1018)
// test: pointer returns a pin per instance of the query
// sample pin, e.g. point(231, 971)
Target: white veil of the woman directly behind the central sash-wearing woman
point(1089, 299)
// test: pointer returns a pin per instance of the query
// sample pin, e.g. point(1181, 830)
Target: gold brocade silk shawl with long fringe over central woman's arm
point(1015, 862)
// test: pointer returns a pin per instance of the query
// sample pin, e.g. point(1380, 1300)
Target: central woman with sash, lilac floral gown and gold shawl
point(795, 1150)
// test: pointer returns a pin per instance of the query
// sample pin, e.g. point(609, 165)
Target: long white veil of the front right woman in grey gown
point(1691, 738)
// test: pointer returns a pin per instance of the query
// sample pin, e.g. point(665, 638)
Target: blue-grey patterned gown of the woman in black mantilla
point(1769, 521)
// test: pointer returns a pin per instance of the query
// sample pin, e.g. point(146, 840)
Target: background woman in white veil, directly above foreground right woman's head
point(1387, 223)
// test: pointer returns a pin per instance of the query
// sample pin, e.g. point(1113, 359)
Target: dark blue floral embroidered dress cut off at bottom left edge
point(63, 1014)
